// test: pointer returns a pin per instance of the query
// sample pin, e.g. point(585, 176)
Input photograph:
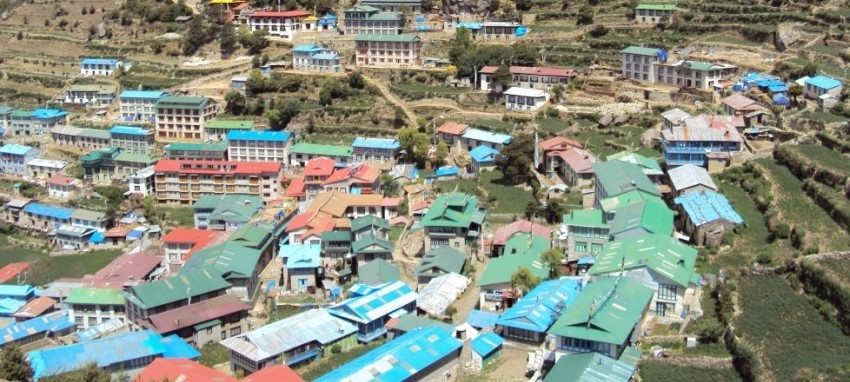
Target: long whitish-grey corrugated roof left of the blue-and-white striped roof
point(280, 336)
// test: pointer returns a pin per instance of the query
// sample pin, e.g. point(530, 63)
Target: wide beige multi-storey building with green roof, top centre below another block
point(387, 50)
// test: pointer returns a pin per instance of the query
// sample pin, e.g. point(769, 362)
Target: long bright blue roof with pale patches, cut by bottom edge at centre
point(400, 359)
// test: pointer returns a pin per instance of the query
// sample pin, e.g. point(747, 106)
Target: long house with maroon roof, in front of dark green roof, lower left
point(202, 322)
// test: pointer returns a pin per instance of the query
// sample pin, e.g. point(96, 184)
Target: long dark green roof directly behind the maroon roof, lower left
point(176, 288)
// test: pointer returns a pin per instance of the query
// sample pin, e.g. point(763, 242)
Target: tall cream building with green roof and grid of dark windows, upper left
point(183, 118)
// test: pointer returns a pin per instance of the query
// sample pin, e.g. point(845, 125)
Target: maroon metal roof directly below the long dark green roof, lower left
point(197, 313)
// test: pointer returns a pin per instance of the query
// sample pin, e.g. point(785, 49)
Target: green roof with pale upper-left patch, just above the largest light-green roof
point(637, 209)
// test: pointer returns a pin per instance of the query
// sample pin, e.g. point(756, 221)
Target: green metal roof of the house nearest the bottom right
point(605, 311)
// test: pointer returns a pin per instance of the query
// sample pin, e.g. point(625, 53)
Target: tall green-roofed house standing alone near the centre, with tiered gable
point(453, 220)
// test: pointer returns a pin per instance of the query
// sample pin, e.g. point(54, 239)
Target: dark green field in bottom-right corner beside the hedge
point(774, 316)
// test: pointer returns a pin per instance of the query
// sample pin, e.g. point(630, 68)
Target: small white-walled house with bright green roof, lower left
point(88, 307)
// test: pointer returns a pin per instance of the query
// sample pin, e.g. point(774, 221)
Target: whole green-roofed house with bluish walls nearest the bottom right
point(604, 318)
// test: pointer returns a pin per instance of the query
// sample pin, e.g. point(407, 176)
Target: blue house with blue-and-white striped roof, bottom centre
point(371, 312)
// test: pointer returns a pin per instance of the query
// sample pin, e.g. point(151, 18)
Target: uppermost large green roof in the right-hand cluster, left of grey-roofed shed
point(617, 177)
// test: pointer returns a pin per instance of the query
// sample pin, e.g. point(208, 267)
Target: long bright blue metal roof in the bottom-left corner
point(108, 351)
